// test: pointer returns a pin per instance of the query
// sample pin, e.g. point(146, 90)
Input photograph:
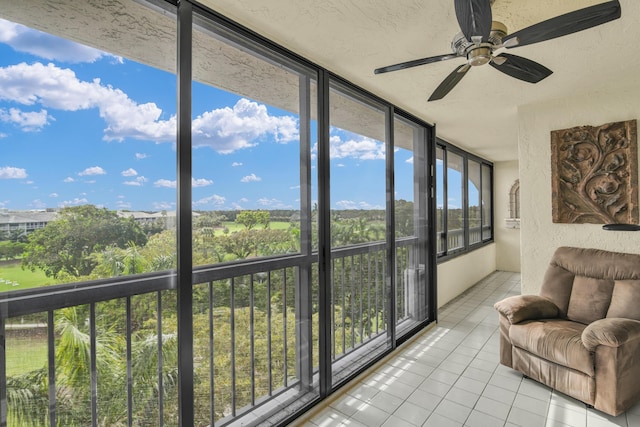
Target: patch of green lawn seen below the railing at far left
point(25, 354)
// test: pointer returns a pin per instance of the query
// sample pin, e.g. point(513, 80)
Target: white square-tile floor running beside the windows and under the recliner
point(450, 376)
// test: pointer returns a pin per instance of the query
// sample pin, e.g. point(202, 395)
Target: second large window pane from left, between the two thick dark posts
point(255, 327)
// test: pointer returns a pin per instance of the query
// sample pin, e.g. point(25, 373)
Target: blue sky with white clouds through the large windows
point(79, 126)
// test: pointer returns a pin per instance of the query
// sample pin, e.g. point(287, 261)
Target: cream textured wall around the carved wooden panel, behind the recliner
point(540, 236)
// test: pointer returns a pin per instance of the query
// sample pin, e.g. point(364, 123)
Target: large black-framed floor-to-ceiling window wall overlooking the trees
point(204, 321)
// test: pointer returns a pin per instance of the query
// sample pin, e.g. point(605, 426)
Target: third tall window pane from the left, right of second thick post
point(360, 296)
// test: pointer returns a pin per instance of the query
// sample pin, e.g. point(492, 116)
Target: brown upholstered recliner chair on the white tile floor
point(581, 335)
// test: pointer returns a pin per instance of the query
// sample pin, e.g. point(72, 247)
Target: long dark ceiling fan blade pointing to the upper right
point(569, 23)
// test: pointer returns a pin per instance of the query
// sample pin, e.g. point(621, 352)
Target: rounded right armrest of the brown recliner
point(612, 332)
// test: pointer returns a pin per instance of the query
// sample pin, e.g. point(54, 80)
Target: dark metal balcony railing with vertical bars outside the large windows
point(110, 347)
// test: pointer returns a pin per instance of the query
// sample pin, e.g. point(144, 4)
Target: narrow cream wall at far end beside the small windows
point(507, 239)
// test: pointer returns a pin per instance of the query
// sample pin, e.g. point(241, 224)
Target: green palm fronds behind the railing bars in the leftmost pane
point(28, 396)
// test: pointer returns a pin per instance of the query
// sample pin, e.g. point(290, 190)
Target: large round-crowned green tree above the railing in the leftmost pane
point(66, 244)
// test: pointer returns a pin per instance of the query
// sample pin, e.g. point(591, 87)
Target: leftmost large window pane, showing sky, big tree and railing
point(88, 178)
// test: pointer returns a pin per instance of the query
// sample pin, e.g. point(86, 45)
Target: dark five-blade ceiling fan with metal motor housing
point(484, 41)
